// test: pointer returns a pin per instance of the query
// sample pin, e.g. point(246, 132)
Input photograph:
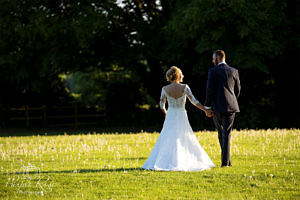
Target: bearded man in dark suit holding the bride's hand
point(223, 89)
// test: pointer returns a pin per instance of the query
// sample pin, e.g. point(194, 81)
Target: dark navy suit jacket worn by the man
point(223, 89)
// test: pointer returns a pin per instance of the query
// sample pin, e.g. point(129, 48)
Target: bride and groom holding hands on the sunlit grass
point(177, 148)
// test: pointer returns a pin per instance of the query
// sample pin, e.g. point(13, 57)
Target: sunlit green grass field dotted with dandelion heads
point(107, 166)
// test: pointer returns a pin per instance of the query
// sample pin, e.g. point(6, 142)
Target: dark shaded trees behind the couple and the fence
point(113, 56)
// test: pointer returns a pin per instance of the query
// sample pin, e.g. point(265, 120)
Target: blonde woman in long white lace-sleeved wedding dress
point(177, 148)
